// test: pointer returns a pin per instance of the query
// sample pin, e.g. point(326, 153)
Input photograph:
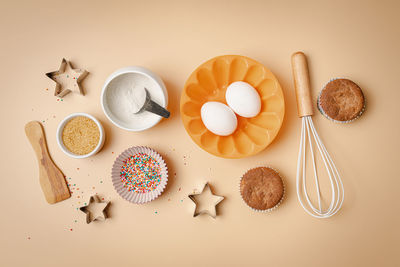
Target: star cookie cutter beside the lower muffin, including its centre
point(205, 202)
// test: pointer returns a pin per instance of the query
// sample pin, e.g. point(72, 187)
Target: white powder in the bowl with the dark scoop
point(124, 96)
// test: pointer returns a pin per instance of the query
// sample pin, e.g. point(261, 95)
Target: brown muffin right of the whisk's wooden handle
point(341, 100)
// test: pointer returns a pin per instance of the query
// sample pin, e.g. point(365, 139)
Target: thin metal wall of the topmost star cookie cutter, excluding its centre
point(61, 92)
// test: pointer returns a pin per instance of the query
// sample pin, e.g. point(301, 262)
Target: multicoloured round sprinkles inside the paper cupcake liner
point(140, 173)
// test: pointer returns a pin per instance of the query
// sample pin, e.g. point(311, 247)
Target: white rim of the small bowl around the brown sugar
point(61, 128)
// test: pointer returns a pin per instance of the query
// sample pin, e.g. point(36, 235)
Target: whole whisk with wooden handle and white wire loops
point(310, 136)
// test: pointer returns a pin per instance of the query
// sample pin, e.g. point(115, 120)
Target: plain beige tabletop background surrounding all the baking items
point(358, 40)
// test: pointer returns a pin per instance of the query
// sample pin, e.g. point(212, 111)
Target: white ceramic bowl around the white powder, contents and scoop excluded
point(125, 73)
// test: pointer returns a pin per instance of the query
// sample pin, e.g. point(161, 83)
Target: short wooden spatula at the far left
point(52, 180)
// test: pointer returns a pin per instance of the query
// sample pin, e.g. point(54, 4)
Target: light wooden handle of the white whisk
point(302, 84)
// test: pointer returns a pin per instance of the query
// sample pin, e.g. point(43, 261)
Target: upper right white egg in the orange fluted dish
point(243, 99)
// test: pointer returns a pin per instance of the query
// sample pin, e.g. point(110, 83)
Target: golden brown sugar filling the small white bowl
point(80, 135)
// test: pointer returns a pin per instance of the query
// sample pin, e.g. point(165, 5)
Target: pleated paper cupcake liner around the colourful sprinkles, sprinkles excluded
point(131, 196)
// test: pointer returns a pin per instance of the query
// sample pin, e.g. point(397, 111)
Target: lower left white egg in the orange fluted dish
point(218, 118)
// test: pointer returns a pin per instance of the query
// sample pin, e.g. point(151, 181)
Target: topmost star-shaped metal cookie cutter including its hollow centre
point(67, 79)
